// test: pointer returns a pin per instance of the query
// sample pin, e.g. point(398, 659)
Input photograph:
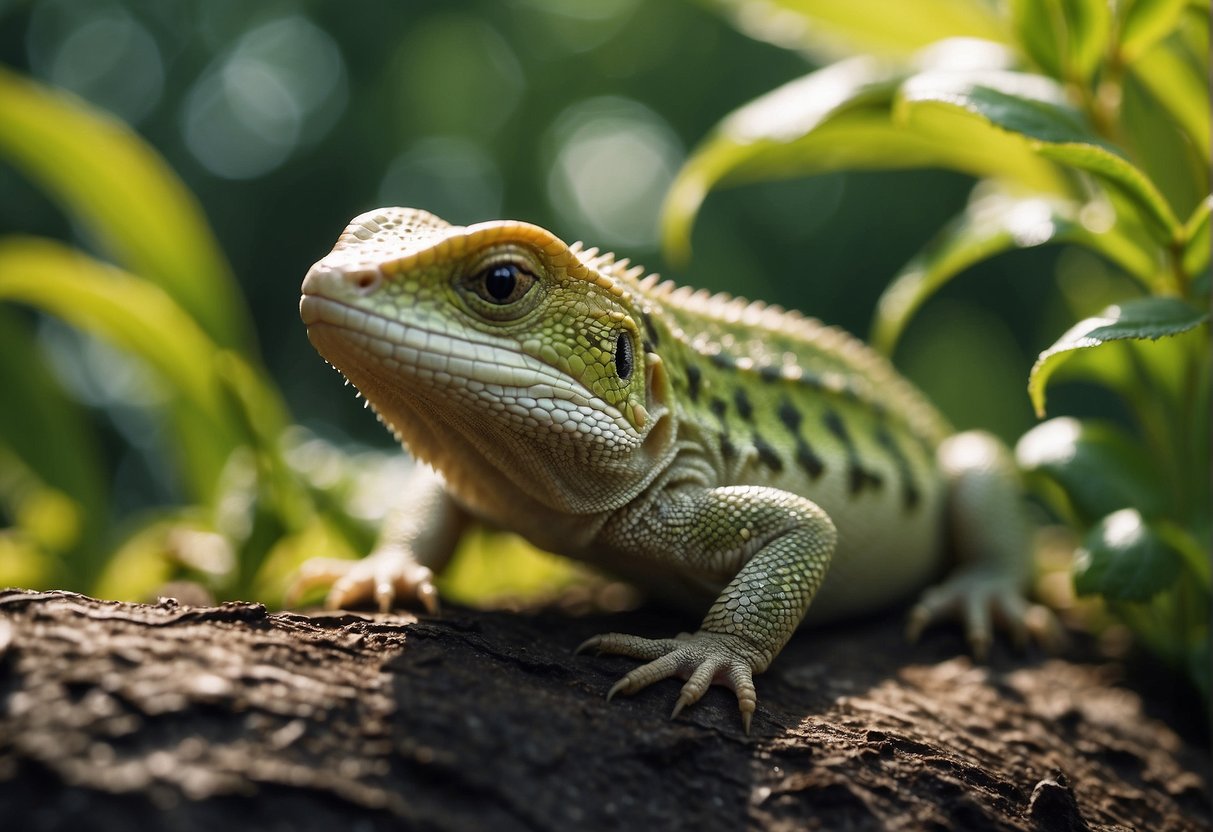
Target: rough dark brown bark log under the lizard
point(172, 717)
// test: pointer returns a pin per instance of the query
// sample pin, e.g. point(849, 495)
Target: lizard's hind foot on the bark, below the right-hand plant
point(979, 599)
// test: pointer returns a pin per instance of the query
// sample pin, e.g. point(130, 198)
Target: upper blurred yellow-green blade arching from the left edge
point(105, 176)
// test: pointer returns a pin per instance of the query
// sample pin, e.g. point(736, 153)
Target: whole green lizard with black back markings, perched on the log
point(701, 446)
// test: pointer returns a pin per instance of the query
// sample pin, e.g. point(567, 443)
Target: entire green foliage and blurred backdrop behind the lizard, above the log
point(157, 373)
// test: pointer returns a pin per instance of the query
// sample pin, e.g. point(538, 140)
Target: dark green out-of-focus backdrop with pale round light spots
point(289, 118)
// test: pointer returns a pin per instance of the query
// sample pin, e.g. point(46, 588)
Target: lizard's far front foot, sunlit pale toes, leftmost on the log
point(388, 578)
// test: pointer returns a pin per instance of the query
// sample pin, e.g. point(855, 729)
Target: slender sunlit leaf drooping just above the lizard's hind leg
point(995, 223)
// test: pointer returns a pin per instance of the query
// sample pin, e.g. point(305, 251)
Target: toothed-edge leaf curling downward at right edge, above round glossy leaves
point(1141, 320)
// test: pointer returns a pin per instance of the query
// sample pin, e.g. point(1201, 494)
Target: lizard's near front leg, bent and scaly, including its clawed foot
point(776, 545)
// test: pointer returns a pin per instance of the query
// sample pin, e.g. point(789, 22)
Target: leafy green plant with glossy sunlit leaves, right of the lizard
point(1086, 124)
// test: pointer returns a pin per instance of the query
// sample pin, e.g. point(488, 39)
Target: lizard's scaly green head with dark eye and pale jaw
point(496, 352)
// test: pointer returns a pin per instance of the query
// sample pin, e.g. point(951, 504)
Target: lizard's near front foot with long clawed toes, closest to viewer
point(702, 659)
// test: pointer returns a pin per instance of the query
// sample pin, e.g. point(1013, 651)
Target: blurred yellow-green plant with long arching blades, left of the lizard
point(179, 327)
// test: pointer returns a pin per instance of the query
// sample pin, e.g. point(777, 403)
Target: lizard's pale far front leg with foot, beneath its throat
point(417, 542)
